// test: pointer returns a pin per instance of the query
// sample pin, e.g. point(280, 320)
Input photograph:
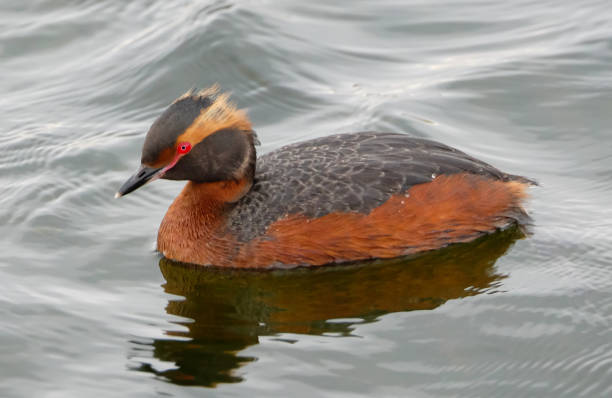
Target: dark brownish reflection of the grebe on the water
point(227, 310)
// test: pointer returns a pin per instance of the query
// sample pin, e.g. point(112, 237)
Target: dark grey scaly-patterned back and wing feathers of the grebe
point(344, 173)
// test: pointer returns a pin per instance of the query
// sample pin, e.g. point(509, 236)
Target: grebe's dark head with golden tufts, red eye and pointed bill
point(200, 137)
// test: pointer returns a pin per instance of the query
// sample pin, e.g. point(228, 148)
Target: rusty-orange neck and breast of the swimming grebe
point(196, 219)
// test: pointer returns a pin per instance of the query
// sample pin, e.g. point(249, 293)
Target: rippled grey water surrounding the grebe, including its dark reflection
point(88, 307)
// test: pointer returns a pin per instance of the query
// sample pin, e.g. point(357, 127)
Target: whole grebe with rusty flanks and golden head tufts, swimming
point(340, 198)
